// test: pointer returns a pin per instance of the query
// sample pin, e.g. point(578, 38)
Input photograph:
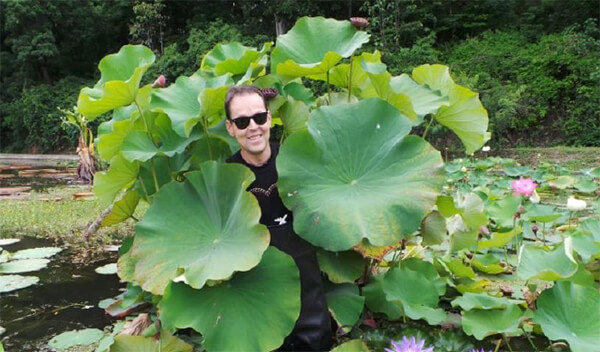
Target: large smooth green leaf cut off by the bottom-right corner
point(570, 312)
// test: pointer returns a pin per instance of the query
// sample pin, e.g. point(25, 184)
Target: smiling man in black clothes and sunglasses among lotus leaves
point(249, 122)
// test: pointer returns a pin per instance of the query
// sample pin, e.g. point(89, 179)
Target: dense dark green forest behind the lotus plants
point(535, 63)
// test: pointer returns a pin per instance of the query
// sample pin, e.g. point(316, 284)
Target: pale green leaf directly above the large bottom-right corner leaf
point(540, 263)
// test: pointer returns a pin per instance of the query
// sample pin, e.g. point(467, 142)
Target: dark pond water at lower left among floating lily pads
point(65, 298)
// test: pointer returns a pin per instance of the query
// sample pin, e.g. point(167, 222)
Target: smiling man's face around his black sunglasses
point(254, 139)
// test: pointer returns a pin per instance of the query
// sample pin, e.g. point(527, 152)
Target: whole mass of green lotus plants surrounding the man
point(400, 233)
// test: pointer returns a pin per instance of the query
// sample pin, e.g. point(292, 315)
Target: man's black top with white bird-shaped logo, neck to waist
point(264, 188)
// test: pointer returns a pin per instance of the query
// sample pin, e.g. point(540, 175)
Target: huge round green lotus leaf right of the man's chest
point(355, 174)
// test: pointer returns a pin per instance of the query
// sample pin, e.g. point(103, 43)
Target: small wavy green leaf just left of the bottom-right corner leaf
point(480, 323)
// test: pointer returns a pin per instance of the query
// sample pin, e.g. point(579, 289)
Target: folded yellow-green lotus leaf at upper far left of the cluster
point(121, 74)
